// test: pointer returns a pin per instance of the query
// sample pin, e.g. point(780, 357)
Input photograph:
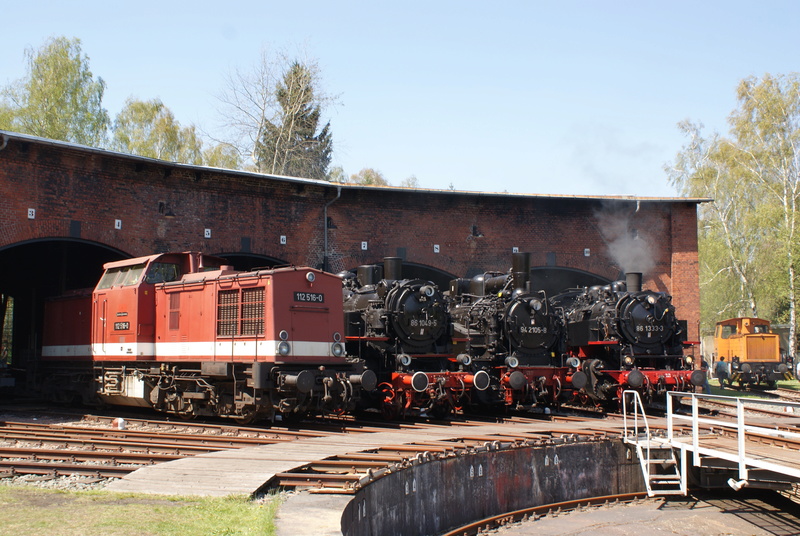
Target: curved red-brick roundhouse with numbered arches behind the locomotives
point(67, 209)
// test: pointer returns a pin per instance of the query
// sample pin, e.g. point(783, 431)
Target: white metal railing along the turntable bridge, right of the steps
point(741, 428)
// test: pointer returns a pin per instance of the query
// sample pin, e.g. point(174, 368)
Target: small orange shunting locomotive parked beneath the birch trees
point(752, 350)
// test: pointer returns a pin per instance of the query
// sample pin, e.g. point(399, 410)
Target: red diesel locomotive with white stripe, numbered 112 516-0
point(186, 334)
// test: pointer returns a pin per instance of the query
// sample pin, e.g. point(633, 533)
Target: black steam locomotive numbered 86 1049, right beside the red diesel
point(402, 329)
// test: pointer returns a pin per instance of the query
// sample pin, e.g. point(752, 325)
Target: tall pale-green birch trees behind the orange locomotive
point(748, 236)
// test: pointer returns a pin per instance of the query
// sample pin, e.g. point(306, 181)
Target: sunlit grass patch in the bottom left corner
point(29, 511)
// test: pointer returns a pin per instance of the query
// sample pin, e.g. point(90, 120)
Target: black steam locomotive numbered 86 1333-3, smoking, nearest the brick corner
point(625, 338)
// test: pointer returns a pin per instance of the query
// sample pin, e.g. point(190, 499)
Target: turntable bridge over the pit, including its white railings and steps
point(722, 452)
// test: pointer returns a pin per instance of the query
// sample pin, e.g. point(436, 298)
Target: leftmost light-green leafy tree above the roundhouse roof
point(59, 98)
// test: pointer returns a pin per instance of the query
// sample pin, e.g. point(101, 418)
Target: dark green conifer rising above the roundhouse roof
point(290, 144)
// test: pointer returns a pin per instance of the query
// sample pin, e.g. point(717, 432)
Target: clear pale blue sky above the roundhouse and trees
point(559, 97)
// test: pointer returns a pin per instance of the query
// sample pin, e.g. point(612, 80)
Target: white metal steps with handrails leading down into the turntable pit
point(664, 472)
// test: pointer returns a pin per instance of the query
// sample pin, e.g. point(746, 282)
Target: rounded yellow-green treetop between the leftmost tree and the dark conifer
point(148, 128)
